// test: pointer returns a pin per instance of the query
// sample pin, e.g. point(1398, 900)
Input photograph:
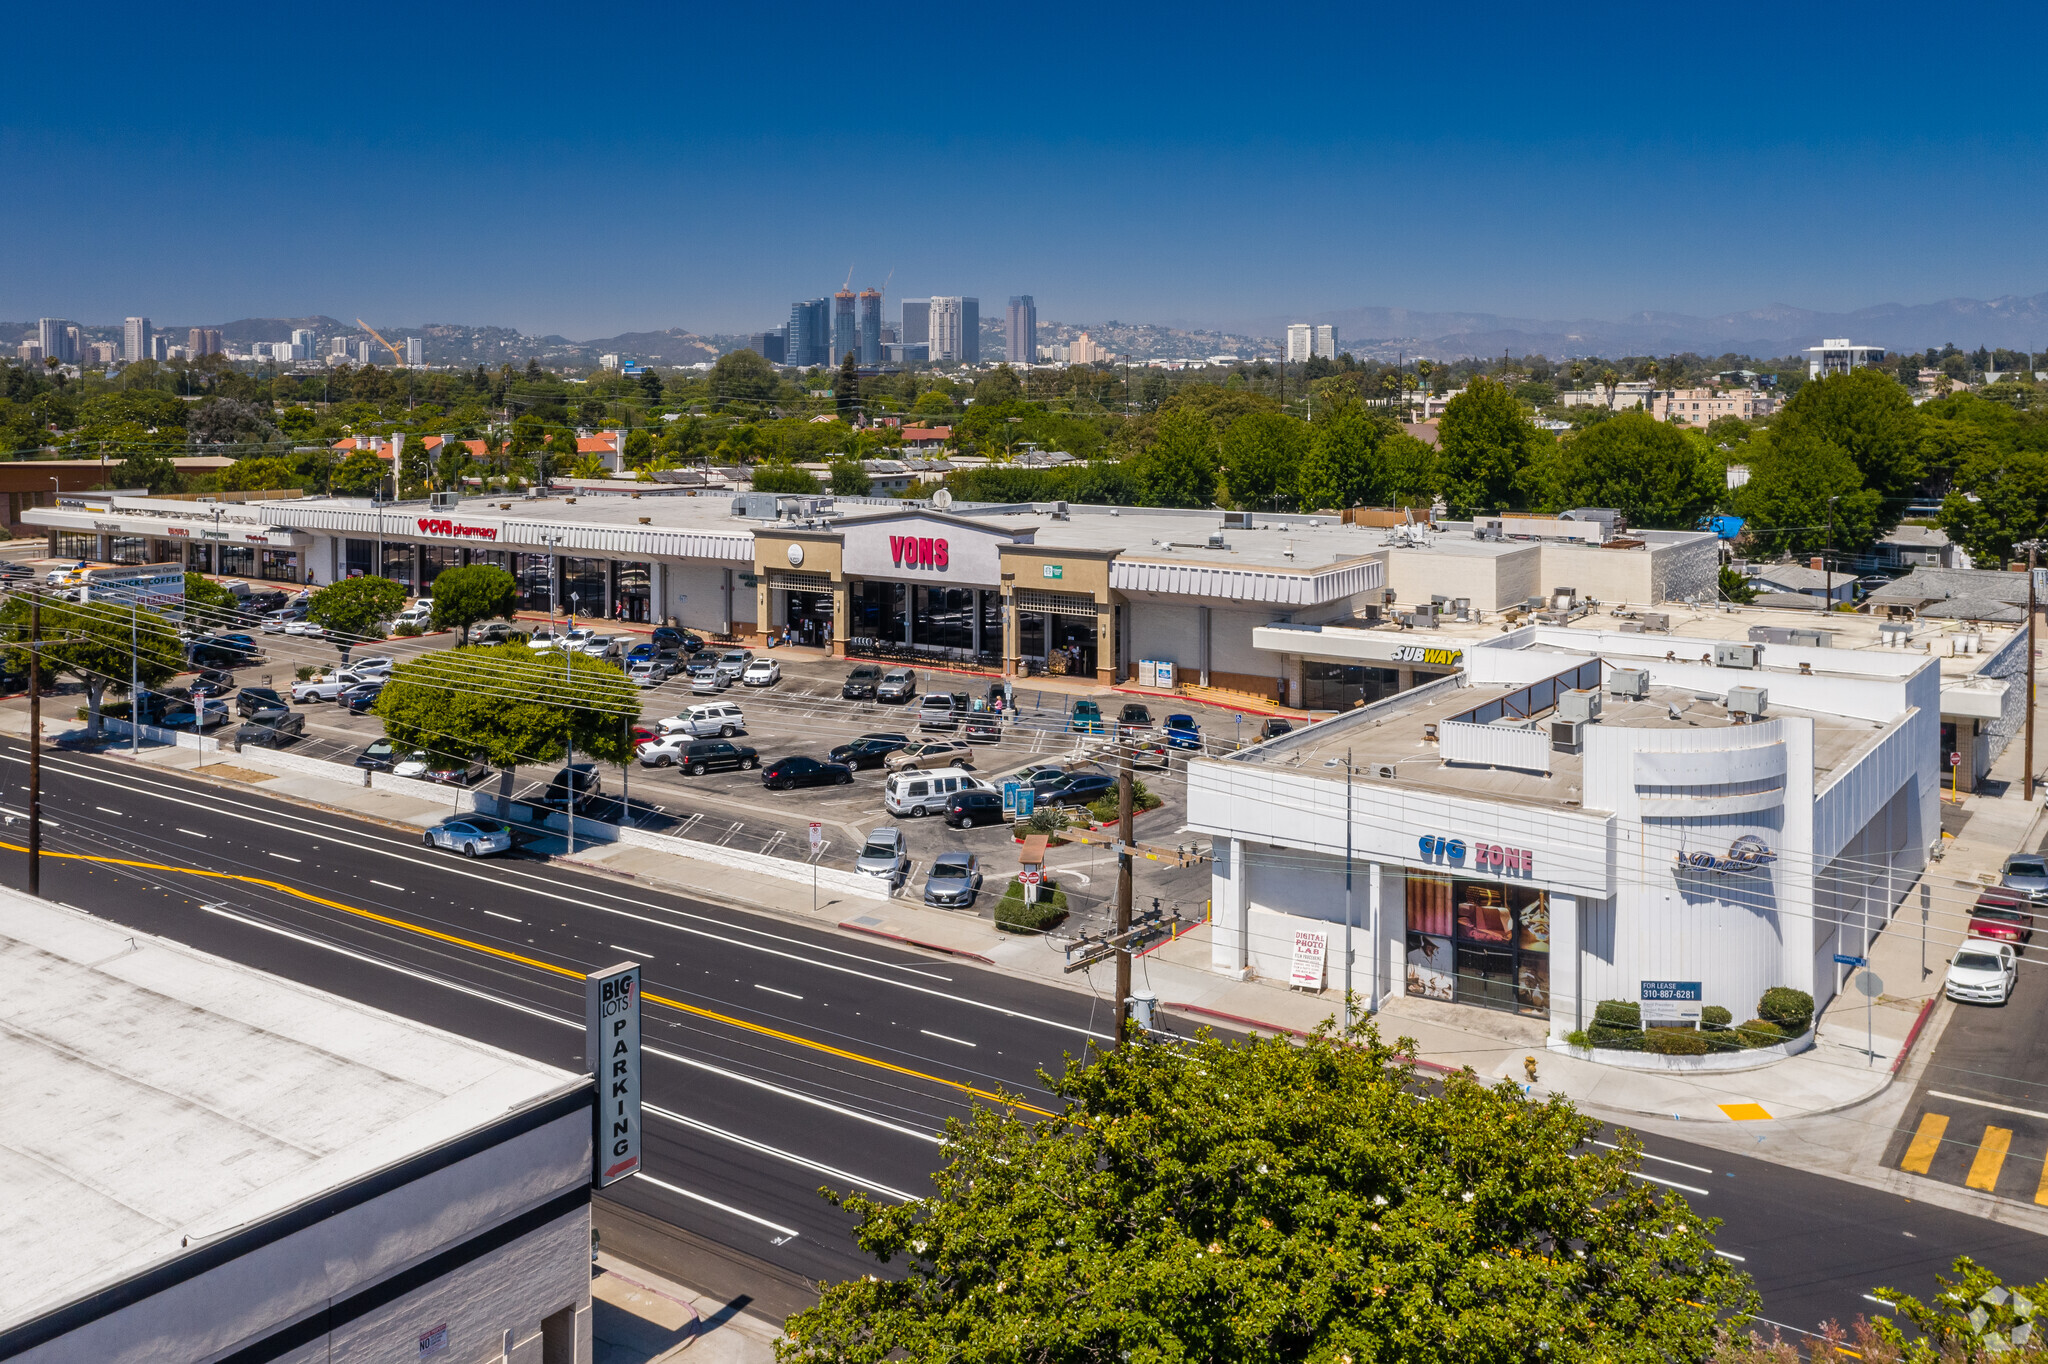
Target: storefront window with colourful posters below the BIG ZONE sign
point(1482, 943)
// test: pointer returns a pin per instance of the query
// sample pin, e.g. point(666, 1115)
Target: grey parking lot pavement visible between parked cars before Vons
point(804, 714)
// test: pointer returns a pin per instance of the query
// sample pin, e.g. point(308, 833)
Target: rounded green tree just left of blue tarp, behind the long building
point(1648, 470)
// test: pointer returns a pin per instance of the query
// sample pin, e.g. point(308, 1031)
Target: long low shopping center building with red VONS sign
point(1019, 589)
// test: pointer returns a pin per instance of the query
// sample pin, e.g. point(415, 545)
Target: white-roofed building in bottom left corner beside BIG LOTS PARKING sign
point(204, 1162)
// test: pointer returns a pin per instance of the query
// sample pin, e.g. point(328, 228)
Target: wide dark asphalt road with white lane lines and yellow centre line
point(800, 1058)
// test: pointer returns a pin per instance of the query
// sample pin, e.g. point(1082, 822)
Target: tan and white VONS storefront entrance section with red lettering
point(947, 591)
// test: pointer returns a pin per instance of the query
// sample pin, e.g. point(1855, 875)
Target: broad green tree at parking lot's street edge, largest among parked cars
point(511, 708)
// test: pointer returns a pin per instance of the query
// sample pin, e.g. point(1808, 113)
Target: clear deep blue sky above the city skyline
point(593, 171)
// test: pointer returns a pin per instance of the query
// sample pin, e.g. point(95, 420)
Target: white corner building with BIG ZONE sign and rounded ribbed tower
point(1601, 800)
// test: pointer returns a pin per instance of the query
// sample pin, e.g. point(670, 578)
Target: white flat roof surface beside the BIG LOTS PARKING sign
point(157, 1093)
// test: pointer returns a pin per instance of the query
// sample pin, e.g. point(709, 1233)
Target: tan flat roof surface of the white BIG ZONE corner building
point(1392, 732)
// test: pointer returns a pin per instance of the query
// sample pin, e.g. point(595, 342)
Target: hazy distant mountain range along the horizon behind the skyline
point(1369, 333)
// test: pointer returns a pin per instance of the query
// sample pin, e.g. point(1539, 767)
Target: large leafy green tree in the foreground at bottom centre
point(1279, 1201)
